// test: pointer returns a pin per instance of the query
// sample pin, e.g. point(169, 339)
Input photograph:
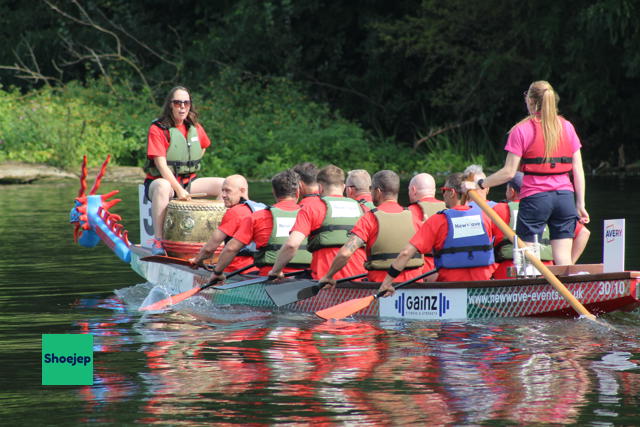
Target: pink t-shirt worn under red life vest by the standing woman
point(520, 138)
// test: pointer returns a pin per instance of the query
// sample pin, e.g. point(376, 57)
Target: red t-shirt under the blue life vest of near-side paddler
point(432, 235)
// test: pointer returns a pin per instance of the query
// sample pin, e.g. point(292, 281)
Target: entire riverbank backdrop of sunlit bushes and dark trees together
point(411, 85)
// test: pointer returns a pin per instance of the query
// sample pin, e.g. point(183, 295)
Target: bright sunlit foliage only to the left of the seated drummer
point(58, 126)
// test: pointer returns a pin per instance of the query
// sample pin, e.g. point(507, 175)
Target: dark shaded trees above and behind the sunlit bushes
point(405, 70)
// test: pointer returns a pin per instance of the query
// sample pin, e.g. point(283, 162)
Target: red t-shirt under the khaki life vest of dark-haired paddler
point(367, 229)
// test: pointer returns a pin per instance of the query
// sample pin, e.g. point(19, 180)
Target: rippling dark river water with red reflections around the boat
point(241, 366)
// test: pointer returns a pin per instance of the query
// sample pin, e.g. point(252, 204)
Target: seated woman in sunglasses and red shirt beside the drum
point(175, 145)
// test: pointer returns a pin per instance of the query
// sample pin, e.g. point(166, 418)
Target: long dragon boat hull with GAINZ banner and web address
point(600, 293)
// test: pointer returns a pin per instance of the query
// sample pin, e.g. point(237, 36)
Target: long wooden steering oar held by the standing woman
point(510, 234)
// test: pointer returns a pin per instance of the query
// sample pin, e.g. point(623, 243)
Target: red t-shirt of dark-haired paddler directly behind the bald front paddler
point(258, 227)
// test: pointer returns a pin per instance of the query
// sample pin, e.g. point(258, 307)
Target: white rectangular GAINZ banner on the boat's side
point(426, 304)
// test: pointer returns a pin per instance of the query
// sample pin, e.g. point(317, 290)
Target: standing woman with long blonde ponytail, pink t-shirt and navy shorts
point(546, 148)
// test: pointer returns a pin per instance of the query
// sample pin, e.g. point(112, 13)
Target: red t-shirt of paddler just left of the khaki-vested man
point(310, 218)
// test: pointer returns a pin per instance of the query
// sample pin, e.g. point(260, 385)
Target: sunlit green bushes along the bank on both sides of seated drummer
point(258, 127)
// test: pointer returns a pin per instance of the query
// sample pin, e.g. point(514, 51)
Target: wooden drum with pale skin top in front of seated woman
point(189, 224)
